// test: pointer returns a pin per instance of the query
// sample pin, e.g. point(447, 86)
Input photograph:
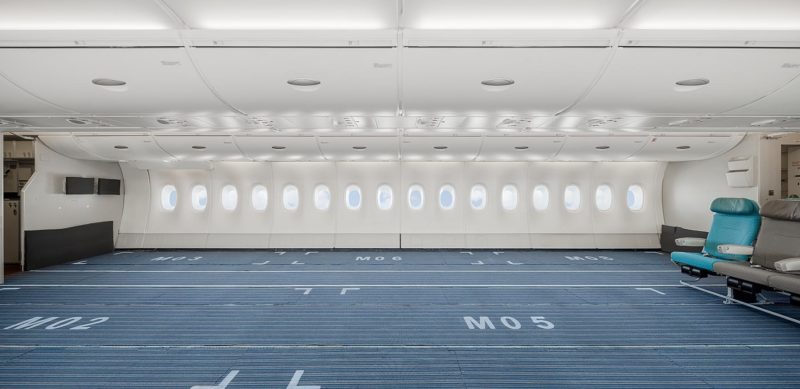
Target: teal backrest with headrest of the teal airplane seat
point(736, 221)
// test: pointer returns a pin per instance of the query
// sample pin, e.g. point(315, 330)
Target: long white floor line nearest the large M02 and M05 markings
point(256, 286)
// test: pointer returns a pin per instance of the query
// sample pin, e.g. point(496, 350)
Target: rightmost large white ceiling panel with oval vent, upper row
point(642, 81)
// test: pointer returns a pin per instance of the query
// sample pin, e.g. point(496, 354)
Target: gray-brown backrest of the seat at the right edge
point(780, 233)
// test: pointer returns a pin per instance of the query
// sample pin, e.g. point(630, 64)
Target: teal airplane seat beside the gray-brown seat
point(736, 222)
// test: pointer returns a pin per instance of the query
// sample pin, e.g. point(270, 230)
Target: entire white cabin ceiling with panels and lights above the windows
point(399, 70)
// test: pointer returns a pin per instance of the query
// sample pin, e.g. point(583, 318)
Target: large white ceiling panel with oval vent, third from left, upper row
point(449, 81)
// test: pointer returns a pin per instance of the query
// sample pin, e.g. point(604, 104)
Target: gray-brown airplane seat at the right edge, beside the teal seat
point(775, 263)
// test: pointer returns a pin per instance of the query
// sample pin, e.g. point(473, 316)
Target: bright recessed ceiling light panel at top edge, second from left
point(287, 15)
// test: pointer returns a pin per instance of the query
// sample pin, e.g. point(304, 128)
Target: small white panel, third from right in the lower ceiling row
point(520, 148)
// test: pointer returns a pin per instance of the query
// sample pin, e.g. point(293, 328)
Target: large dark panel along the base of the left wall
point(52, 247)
